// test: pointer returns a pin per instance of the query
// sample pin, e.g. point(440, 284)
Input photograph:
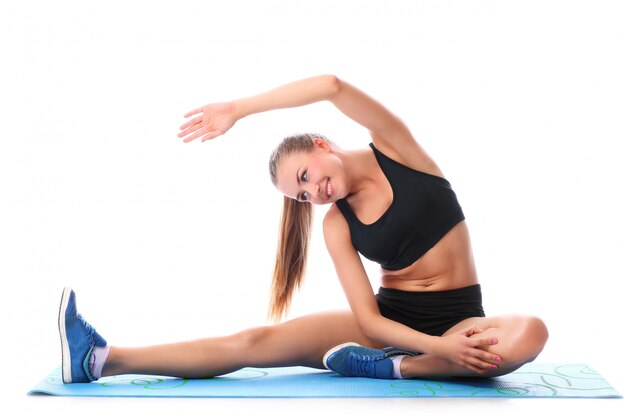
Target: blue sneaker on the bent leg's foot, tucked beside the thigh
point(352, 359)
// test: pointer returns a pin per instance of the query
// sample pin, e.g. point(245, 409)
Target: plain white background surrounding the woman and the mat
point(521, 103)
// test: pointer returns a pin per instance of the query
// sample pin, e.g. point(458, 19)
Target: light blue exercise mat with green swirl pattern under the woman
point(530, 381)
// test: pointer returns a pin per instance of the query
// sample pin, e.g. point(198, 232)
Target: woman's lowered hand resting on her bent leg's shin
point(468, 352)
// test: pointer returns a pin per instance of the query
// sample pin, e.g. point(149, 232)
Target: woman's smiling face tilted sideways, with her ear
point(317, 177)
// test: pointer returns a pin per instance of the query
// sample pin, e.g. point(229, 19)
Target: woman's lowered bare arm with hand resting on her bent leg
point(458, 347)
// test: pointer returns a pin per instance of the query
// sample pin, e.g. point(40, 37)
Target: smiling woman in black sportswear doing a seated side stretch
point(390, 202)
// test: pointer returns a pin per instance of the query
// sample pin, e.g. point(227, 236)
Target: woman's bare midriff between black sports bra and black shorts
point(446, 266)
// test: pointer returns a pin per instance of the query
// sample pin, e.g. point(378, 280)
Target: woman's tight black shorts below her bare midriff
point(430, 312)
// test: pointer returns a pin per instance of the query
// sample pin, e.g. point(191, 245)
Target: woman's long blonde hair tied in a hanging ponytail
point(294, 231)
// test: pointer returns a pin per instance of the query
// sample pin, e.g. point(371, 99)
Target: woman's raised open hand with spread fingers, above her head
point(210, 121)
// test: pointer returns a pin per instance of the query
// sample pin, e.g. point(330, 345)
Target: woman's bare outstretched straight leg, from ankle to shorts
point(299, 342)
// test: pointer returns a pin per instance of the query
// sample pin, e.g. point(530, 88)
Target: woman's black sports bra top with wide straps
point(424, 208)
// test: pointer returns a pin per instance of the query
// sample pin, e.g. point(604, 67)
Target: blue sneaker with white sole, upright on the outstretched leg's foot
point(78, 339)
